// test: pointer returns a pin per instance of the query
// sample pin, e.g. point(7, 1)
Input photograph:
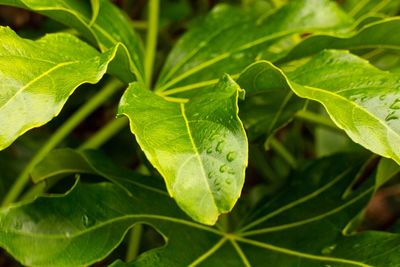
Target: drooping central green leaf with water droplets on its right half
point(204, 168)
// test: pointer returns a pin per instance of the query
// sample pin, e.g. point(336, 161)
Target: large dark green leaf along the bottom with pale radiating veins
point(302, 227)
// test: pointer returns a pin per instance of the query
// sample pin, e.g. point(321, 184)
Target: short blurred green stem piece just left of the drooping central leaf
point(102, 136)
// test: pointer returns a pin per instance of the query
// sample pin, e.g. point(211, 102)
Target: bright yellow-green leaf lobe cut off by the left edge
point(42, 78)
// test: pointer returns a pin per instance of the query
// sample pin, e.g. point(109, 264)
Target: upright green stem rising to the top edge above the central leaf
point(151, 40)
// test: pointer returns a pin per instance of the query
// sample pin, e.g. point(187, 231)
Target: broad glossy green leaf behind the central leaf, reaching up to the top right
point(230, 38)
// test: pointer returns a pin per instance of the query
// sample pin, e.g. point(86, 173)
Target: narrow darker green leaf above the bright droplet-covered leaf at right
point(375, 35)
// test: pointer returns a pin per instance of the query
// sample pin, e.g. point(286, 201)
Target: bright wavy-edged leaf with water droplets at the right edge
point(360, 99)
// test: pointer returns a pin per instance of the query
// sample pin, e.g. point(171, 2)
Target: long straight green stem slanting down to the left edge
point(58, 136)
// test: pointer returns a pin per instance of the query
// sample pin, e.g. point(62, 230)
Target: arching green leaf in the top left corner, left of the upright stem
point(102, 24)
